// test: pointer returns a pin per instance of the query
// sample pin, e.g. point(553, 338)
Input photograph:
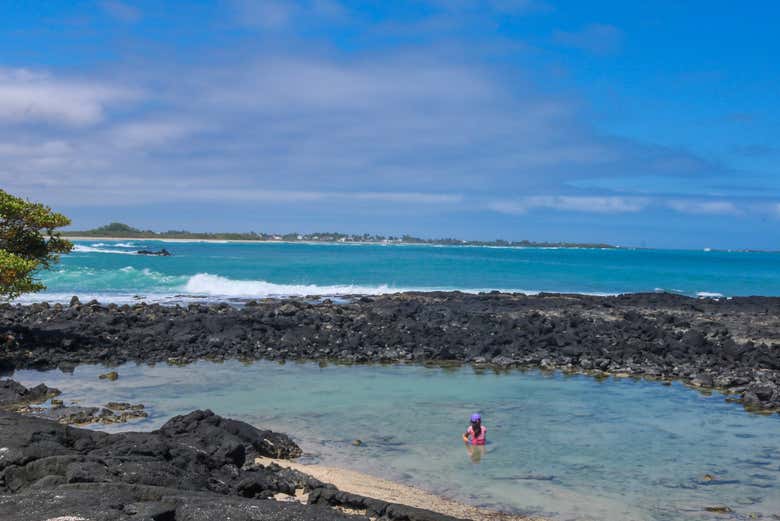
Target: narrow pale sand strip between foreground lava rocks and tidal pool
point(390, 491)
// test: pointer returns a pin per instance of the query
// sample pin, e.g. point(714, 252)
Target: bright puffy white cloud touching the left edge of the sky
point(27, 96)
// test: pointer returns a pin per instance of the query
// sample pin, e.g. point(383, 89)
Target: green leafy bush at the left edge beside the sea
point(29, 241)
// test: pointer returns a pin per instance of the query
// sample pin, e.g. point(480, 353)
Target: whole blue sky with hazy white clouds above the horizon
point(635, 123)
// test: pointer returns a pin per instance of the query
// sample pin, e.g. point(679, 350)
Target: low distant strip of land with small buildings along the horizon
point(123, 231)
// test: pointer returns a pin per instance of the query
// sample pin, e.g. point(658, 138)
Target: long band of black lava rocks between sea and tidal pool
point(731, 345)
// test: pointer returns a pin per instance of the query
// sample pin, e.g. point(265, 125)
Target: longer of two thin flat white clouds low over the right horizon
point(588, 204)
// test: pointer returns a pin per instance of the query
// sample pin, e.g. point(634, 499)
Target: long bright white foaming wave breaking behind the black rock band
point(217, 286)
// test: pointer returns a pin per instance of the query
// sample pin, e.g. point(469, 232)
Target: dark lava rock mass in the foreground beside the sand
point(196, 467)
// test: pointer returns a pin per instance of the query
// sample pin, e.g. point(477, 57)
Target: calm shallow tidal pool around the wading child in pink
point(565, 447)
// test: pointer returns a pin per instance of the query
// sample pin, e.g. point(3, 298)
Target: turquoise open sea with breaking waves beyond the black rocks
point(109, 270)
